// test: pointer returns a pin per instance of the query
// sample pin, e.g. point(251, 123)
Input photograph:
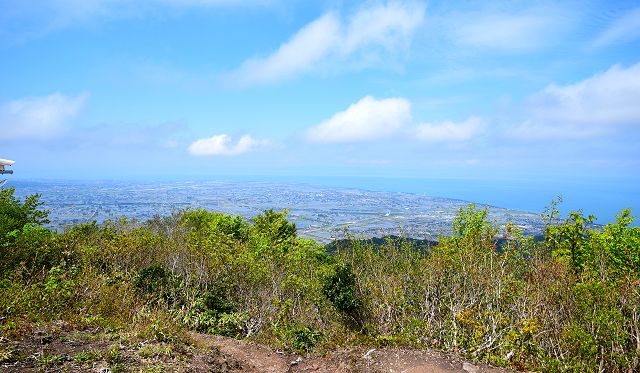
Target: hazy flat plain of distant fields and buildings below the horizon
point(321, 213)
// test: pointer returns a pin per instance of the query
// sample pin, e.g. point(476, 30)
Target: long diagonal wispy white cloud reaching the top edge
point(328, 40)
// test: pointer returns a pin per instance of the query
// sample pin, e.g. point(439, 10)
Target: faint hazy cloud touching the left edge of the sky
point(38, 118)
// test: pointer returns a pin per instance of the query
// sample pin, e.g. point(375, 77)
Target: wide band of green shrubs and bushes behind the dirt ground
point(568, 303)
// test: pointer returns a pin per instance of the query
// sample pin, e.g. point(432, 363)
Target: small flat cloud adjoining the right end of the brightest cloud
point(449, 131)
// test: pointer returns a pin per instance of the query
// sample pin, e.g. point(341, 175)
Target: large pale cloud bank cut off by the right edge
point(593, 107)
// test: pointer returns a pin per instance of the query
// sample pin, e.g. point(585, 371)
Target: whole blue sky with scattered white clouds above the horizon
point(503, 90)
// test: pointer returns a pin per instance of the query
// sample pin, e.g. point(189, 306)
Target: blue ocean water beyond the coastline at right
point(602, 197)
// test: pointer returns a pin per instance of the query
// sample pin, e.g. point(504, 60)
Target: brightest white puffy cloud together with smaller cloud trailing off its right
point(372, 119)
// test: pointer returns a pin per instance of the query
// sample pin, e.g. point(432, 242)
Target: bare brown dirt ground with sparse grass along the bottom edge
point(58, 349)
